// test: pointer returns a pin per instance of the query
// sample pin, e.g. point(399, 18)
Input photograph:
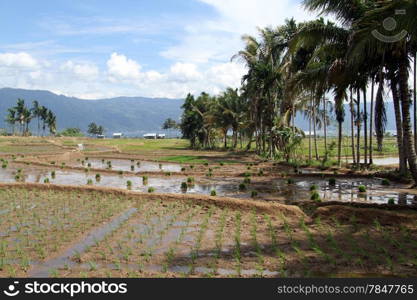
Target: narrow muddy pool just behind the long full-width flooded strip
point(126, 165)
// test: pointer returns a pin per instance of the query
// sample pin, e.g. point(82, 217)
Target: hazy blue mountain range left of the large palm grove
point(130, 115)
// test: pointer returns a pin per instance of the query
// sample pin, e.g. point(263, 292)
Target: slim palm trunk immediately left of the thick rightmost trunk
point(399, 125)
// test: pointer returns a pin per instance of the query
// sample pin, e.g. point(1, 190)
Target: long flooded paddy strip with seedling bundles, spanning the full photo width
point(345, 190)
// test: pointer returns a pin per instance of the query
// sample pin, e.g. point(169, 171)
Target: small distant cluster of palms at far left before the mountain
point(20, 116)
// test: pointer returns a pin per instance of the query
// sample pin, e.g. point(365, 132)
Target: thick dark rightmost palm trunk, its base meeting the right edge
point(405, 105)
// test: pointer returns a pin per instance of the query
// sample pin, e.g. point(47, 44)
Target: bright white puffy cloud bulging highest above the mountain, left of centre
point(120, 67)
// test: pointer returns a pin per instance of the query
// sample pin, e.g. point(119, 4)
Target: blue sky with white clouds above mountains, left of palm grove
point(95, 49)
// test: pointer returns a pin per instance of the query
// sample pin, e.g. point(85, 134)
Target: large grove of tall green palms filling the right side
point(312, 68)
